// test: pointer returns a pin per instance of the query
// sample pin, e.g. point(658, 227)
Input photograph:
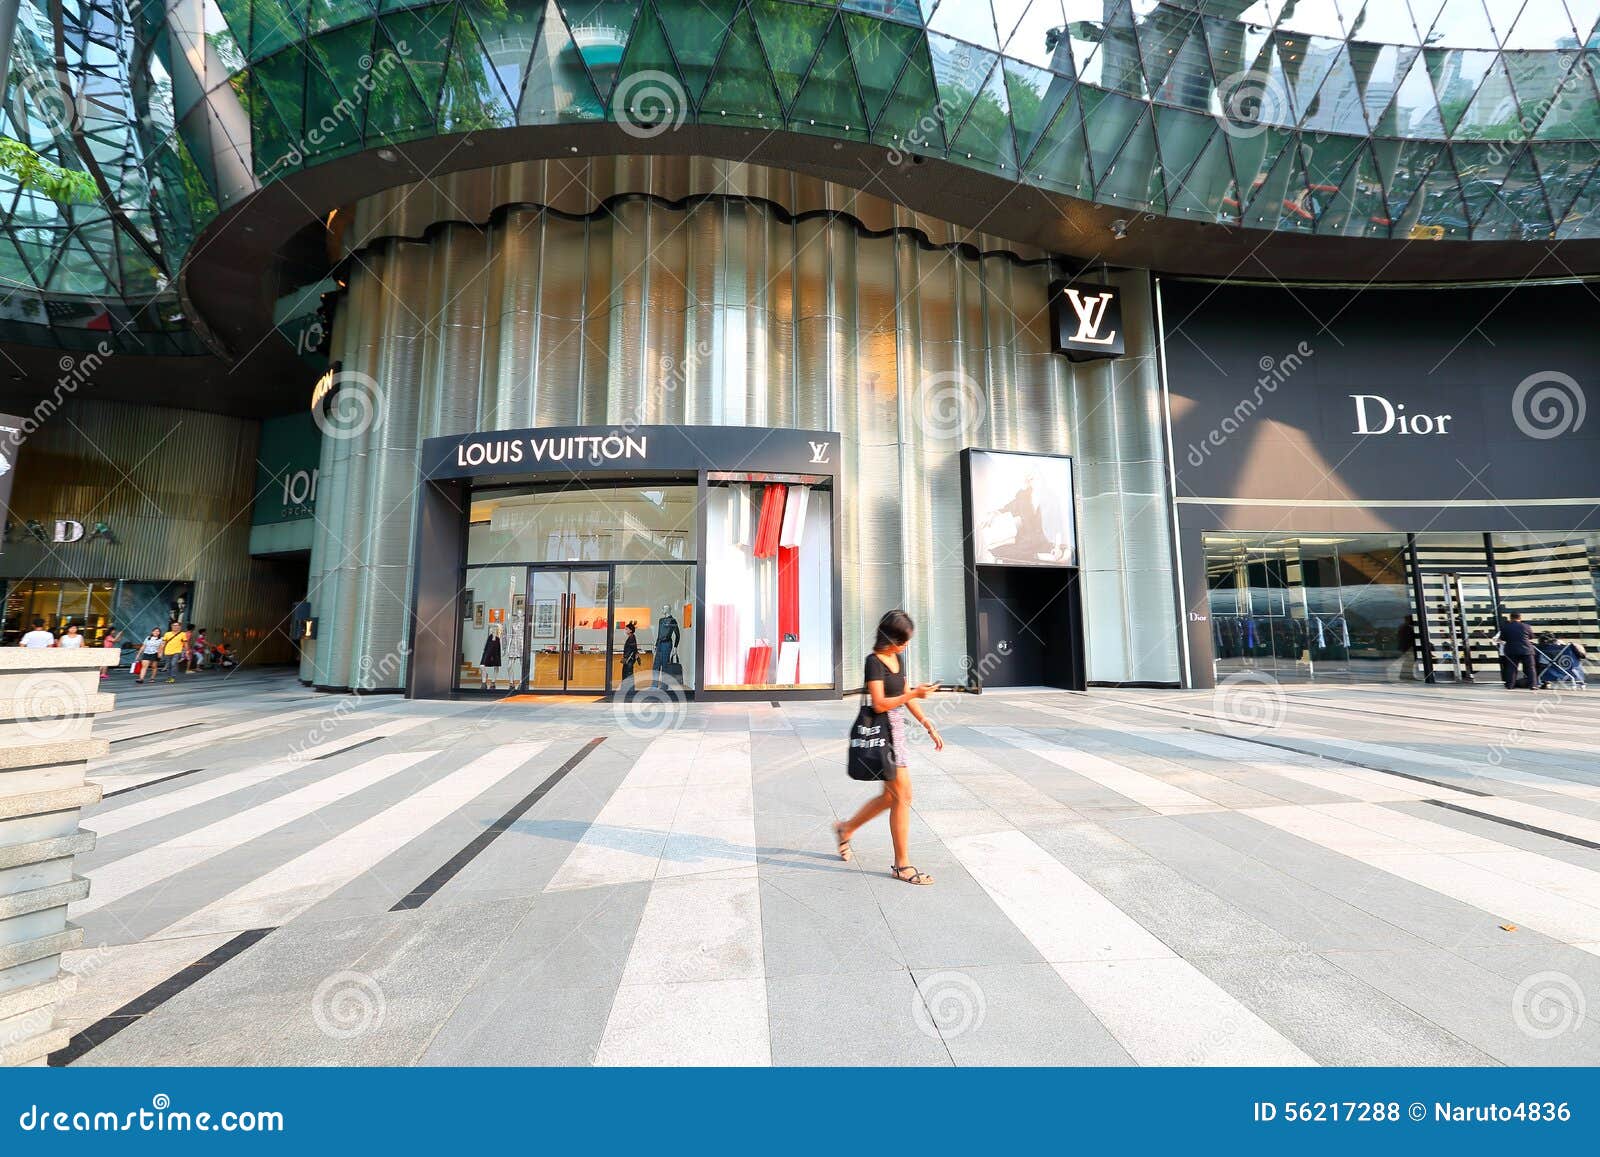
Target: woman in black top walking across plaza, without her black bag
point(886, 683)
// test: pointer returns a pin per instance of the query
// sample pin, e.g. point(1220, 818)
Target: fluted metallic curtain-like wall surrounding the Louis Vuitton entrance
point(732, 310)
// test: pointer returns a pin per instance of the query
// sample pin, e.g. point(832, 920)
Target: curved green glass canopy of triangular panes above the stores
point(1433, 119)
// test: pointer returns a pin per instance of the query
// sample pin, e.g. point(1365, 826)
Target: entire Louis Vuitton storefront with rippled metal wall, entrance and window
point(727, 406)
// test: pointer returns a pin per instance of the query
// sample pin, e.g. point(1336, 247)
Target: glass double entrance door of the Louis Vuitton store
point(570, 633)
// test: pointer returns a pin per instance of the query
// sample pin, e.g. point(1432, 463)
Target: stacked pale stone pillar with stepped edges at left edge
point(49, 700)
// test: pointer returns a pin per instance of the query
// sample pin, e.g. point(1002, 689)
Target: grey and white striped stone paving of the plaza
point(1257, 876)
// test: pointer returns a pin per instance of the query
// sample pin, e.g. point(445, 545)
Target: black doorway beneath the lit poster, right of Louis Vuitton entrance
point(1028, 628)
